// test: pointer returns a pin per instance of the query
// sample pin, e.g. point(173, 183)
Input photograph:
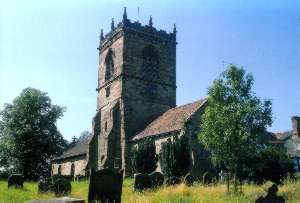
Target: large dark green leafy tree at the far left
point(29, 133)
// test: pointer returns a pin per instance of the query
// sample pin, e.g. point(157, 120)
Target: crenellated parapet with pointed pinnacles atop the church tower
point(126, 26)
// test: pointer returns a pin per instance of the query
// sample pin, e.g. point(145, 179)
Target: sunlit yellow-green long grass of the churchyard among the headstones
point(179, 193)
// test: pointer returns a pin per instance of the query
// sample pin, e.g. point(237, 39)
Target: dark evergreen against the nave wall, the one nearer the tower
point(144, 157)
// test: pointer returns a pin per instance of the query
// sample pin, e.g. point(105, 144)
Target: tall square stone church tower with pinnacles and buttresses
point(136, 84)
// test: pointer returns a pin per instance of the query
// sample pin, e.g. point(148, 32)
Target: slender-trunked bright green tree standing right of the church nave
point(234, 121)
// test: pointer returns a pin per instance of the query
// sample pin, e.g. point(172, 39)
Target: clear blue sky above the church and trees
point(51, 46)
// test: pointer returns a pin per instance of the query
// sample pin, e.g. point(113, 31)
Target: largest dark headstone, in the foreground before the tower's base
point(106, 185)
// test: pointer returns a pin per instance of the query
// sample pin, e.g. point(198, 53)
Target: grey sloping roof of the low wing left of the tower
point(79, 149)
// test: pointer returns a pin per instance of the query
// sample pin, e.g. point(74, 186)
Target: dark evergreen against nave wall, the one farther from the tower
point(174, 156)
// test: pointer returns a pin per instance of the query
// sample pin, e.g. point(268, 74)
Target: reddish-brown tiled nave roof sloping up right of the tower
point(171, 120)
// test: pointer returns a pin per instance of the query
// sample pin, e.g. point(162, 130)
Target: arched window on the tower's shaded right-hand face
point(150, 64)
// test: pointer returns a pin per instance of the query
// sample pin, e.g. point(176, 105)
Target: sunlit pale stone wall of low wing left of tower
point(79, 166)
